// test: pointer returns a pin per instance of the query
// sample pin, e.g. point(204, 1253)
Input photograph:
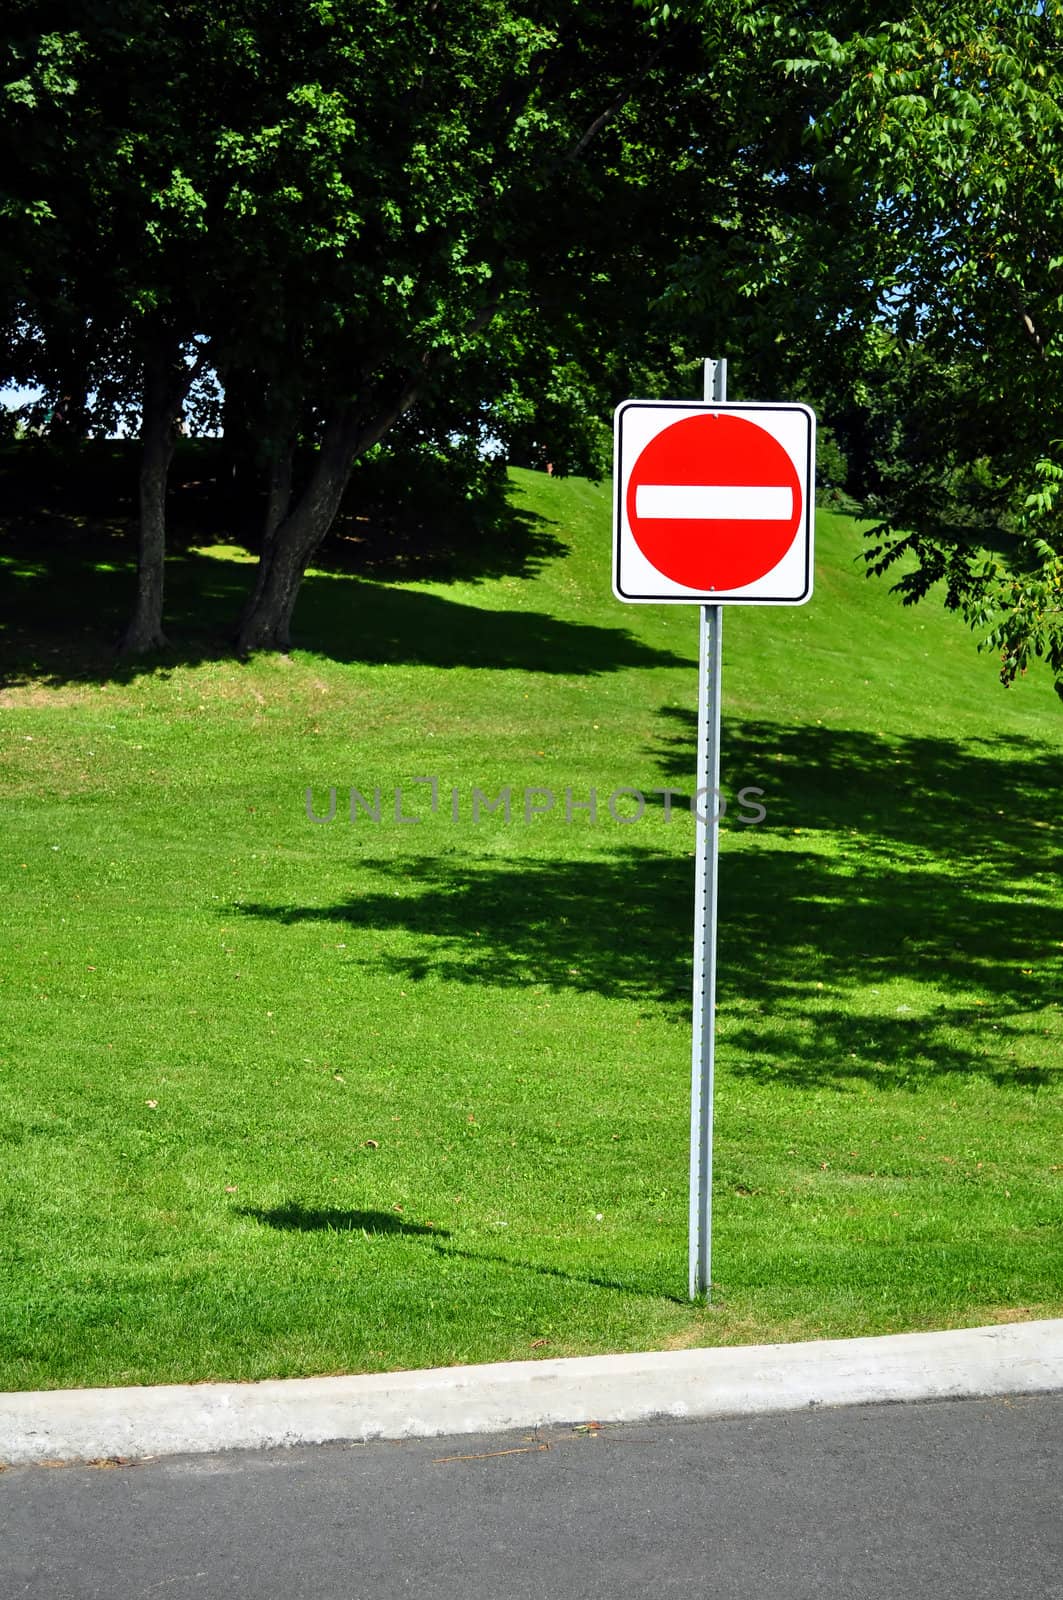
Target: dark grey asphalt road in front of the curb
point(939, 1500)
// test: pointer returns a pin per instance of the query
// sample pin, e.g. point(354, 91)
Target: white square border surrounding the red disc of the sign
point(800, 558)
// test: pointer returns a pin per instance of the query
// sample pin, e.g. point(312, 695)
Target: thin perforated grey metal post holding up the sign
point(707, 855)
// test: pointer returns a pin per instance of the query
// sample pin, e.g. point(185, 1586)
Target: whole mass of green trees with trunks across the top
point(487, 222)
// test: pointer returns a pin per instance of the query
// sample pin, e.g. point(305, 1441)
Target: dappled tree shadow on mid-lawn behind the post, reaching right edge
point(888, 935)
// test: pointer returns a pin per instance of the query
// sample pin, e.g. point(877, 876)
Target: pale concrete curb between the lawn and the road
point(90, 1425)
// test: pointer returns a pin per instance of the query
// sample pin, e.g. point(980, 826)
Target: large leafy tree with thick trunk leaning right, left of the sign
point(495, 194)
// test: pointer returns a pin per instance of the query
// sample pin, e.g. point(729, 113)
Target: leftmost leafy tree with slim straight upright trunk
point(105, 273)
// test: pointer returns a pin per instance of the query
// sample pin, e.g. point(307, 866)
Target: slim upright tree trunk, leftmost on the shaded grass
point(158, 442)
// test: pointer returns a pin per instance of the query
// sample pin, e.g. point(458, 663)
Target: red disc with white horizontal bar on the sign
point(702, 538)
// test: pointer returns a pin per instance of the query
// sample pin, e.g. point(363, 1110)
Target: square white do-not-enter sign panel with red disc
point(713, 503)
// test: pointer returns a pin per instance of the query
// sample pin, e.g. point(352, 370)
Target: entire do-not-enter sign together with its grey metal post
point(713, 506)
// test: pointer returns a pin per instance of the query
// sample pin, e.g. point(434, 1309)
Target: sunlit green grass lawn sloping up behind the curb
point(281, 1098)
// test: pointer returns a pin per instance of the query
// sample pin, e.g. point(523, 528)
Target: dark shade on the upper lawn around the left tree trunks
point(68, 577)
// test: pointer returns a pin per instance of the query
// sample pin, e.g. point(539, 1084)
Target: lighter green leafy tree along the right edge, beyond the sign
point(937, 140)
